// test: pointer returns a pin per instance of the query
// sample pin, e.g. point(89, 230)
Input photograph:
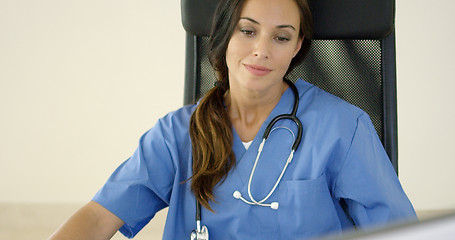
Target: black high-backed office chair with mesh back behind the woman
point(352, 56)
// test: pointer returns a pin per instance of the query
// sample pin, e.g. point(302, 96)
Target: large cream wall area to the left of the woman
point(80, 81)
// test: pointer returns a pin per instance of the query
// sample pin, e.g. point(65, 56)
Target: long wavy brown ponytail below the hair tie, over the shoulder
point(211, 137)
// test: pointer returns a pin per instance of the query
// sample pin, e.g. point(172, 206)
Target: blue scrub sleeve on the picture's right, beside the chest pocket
point(368, 183)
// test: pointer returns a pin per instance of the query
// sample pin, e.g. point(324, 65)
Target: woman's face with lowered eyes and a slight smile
point(263, 44)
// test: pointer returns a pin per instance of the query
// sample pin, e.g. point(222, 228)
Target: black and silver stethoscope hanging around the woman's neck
point(201, 232)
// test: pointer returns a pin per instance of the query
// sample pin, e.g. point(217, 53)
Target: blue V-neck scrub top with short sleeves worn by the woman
point(340, 162)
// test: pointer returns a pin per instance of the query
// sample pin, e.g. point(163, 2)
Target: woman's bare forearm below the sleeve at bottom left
point(92, 221)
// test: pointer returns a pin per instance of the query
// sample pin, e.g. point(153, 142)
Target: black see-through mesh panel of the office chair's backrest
point(349, 69)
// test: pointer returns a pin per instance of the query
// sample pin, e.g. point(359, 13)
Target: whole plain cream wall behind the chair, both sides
point(80, 81)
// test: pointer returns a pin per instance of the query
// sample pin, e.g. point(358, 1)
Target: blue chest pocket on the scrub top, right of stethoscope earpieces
point(306, 209)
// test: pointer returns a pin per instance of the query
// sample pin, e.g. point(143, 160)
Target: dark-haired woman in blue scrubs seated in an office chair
point(339, 177)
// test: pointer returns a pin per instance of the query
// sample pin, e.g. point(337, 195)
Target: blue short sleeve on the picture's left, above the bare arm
point(141, 185)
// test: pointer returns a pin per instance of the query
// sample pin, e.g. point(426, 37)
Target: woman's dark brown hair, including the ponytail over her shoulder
point(210, 125)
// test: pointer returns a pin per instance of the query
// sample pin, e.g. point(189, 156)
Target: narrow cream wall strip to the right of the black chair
point(426, 111)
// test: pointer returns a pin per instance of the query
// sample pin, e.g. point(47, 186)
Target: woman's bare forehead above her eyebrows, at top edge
point(273, 12)
